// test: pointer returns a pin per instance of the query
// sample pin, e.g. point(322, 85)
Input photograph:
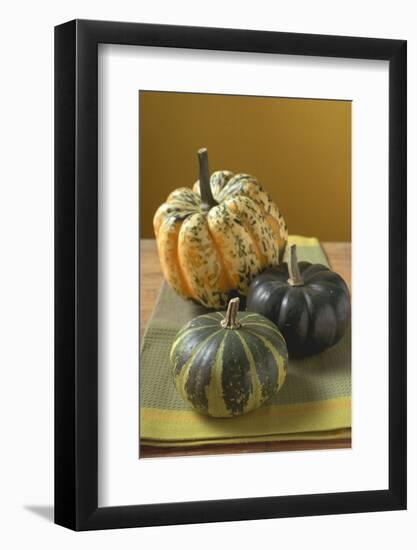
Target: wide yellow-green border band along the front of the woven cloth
point(170, 425)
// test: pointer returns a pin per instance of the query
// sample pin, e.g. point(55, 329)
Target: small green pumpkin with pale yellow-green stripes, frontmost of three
point(229, 363)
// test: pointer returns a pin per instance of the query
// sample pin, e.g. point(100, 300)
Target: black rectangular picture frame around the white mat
point(76, 272)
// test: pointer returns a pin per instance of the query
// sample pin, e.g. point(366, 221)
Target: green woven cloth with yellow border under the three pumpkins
point(314, 400)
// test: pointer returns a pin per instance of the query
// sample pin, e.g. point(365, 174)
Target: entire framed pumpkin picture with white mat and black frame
point(230, 253)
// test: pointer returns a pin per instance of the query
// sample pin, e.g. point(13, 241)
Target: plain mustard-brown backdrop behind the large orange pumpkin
point(299, 149)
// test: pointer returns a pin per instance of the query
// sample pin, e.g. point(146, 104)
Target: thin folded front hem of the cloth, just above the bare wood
point(331, 435)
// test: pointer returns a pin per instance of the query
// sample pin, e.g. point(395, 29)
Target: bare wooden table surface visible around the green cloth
point(151, 278)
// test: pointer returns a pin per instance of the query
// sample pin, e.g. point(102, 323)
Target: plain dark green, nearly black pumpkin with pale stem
point(309, 303)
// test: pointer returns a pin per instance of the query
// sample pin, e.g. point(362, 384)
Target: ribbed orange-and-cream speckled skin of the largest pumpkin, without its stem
point(208, 255)
